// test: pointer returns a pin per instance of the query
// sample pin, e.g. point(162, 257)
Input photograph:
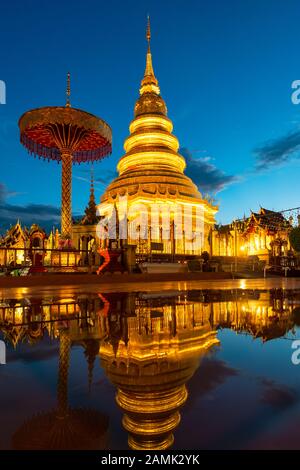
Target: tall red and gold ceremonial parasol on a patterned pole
point(69, 135)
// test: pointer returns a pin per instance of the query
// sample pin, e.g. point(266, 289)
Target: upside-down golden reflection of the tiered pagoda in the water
point(151, 369)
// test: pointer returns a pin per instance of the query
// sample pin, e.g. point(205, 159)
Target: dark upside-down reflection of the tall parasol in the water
point(63, 428)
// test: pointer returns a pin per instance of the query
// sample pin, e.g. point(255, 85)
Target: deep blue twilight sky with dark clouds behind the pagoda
point(225, 70)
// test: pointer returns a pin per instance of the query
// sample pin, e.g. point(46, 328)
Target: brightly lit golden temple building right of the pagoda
point(264, 234)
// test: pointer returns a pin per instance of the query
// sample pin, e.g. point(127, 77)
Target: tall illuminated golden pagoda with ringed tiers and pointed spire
point(151, 173)
